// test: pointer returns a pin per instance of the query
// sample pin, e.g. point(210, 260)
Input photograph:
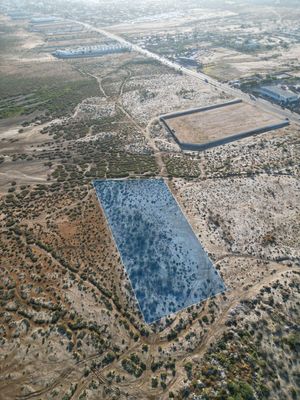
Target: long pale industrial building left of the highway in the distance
point(90, 51)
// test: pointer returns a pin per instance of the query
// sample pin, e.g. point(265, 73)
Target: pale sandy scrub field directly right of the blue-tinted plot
point(236, 216)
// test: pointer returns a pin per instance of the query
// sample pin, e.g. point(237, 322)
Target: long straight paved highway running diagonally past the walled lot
point(261, 103)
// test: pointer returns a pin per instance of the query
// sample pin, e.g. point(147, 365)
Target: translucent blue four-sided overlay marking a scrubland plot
point(166, 264)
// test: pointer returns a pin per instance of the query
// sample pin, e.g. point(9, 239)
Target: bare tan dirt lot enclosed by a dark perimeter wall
point(218, 123)
